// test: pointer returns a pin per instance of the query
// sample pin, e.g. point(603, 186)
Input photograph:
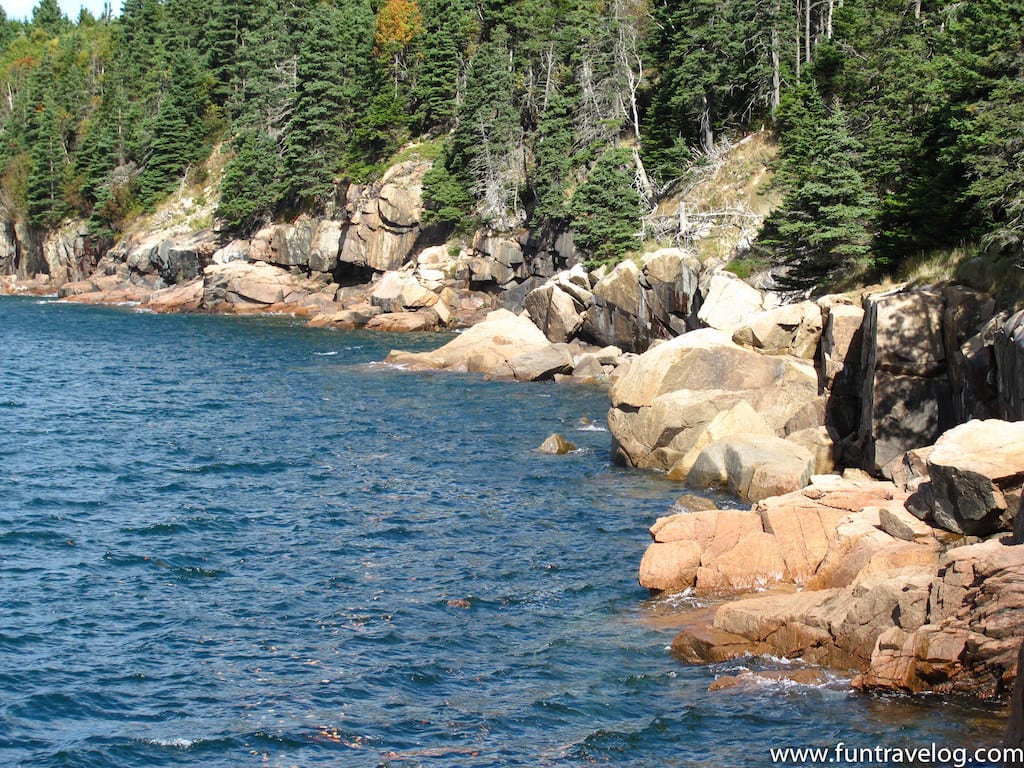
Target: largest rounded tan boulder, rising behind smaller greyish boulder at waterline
point(670, 397)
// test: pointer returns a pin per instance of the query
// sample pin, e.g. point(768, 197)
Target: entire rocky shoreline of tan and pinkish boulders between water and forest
point(877, 436)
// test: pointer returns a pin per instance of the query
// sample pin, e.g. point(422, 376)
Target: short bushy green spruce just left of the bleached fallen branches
point(606, 210)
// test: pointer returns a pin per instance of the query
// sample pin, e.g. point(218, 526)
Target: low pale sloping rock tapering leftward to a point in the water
point(484, 349)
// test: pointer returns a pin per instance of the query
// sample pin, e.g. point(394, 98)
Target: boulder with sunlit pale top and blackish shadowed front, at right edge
point(976, 473)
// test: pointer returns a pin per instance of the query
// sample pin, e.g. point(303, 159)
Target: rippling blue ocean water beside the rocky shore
point(238, 542)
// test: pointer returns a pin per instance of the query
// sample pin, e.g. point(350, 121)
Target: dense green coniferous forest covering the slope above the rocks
point(901, 123)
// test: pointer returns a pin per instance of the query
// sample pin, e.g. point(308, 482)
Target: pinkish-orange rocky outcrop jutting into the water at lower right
point(909, 607)
